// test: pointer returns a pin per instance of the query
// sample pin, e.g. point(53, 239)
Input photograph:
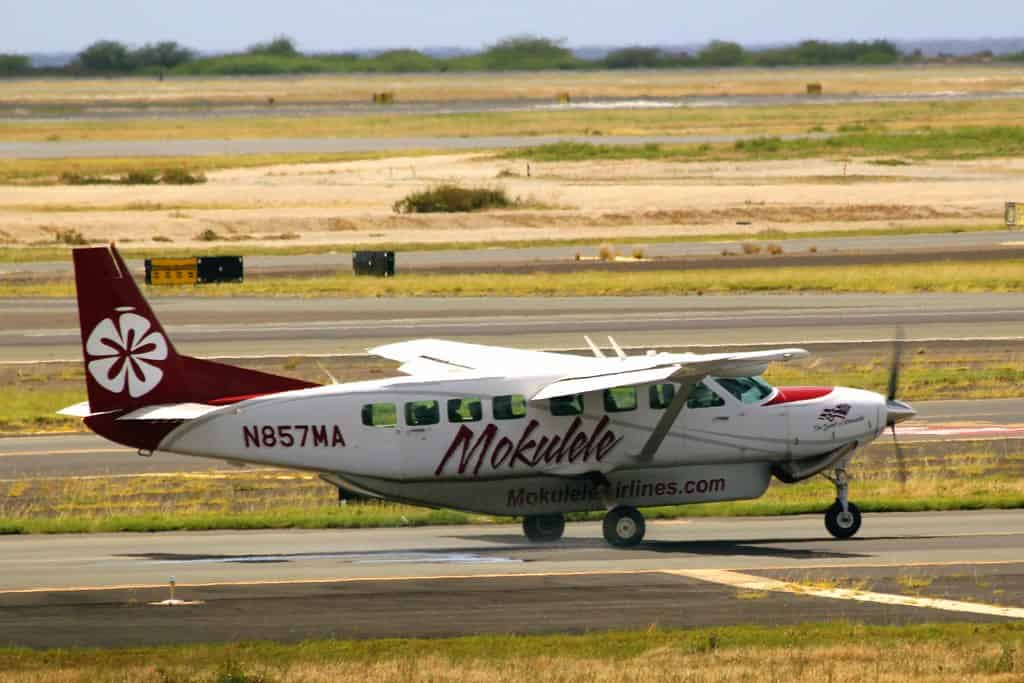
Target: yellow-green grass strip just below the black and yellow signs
point(1001, 276)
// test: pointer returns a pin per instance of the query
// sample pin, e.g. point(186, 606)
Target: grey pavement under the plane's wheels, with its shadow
point(95, 590)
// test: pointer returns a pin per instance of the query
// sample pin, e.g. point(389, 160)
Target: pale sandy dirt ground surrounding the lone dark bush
point(349, 203)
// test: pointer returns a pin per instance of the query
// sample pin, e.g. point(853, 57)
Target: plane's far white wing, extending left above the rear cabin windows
point(435, 356)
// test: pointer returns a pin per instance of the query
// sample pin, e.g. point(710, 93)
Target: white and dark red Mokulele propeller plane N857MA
point(486, 430)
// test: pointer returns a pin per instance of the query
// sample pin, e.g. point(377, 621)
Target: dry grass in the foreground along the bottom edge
point(813, 653)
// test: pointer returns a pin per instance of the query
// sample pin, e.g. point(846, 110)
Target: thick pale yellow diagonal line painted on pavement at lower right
point(752, 583)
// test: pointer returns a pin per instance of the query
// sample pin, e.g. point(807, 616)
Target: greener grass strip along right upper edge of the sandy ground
point(952, 144)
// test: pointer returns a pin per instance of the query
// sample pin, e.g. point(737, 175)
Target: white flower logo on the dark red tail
point(122, 355)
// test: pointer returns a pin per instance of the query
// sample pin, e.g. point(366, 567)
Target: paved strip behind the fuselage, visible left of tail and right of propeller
point(89, 455)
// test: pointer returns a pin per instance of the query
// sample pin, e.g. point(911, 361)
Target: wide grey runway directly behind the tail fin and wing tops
point(39, 330)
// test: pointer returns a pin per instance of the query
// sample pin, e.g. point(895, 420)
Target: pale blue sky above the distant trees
point(68, 26)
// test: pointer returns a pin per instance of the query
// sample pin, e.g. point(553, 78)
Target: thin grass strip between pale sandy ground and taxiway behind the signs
point(63, 253)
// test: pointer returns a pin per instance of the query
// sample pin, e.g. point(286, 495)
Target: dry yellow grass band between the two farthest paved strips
point(874, 117)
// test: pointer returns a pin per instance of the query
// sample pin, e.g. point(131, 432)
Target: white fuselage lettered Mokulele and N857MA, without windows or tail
point(533, 463)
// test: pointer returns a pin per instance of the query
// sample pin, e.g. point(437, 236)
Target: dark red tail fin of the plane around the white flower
point(131, 361)
